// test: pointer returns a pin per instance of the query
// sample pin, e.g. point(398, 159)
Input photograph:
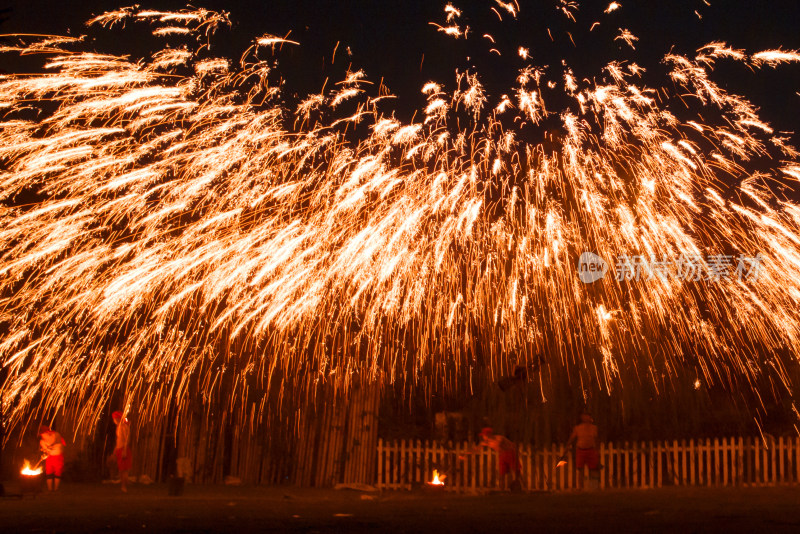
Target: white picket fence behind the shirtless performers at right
point(404, 464)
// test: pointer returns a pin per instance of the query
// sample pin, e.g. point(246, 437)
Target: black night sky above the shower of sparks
point(388, 39)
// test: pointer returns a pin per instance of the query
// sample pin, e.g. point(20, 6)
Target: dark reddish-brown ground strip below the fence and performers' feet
point(103, 508)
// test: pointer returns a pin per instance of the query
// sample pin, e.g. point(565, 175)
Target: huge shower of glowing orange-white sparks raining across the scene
point(170, 228)
